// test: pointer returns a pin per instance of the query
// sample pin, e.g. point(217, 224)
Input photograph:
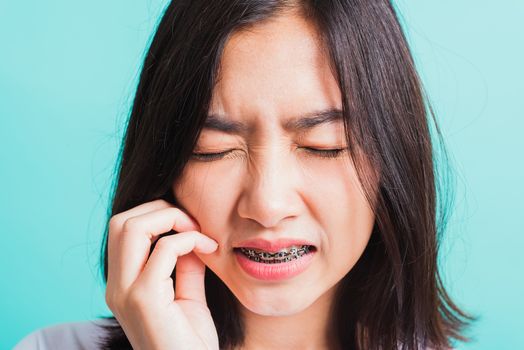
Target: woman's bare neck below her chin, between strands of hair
point(311, 328)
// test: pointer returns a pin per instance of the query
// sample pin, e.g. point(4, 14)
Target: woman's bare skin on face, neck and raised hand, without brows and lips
point(269, 186)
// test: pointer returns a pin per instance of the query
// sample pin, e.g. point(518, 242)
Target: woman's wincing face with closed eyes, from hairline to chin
point(270, 192)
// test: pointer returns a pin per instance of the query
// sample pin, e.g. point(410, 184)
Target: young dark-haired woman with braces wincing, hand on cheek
point(277, 186)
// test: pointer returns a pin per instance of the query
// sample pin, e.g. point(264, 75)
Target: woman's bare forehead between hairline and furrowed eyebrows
point(276, 69)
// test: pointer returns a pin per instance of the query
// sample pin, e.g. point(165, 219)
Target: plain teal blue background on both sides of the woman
point(67, 74)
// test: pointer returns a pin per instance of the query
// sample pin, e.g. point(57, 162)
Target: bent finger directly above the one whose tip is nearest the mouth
point(131, 246)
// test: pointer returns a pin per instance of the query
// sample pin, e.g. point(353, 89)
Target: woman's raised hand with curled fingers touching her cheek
point(140, 288)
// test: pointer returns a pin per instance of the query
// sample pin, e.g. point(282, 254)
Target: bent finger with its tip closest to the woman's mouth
point(164, 257)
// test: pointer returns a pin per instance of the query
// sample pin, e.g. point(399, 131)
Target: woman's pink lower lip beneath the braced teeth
point(274, 272)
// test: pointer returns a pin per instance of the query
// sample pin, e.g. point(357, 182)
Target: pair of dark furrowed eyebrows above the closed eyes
point(298, 124)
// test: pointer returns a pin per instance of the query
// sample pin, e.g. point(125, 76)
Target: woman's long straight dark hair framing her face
point(394, 296)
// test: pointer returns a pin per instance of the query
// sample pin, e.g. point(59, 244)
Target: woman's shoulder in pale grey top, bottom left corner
point(72, 335)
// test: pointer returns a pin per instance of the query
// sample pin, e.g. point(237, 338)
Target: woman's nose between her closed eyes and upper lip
point(271, 192)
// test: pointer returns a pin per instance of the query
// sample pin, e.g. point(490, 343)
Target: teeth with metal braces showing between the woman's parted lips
point(284, 255)
